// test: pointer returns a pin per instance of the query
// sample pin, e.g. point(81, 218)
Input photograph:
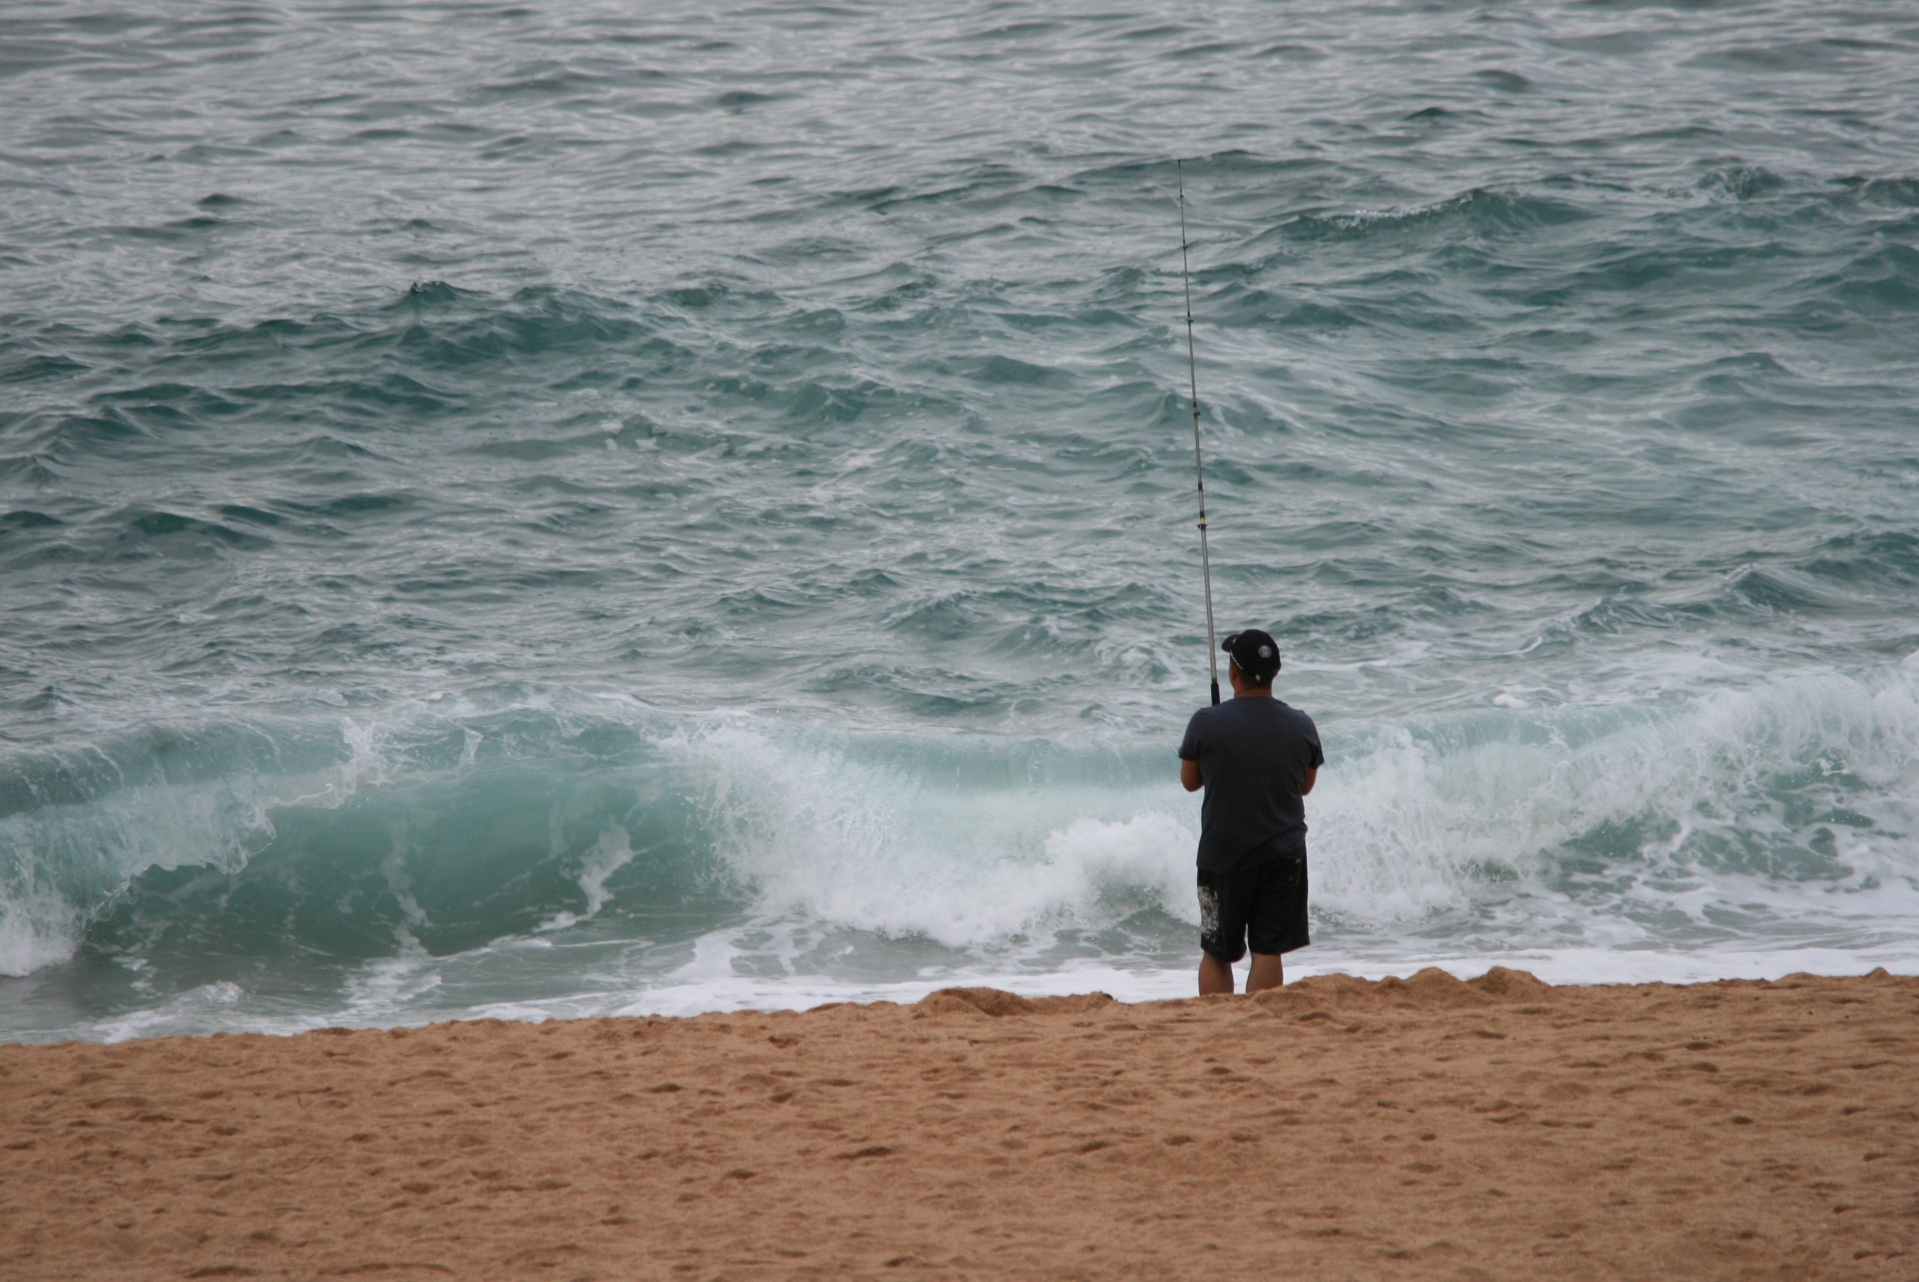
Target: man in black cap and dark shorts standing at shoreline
point(1256, 759)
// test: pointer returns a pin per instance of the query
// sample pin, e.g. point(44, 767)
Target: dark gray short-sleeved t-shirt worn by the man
point(1254, 755)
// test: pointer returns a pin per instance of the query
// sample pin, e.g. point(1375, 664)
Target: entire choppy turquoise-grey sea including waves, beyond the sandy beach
point(579, 508)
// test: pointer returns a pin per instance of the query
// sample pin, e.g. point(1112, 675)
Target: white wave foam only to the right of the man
point(1411, 824)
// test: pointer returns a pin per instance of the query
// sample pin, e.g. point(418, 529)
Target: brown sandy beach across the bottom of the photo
point(1337, 1129)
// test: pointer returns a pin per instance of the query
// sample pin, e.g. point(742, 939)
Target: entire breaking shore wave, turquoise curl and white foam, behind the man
point(1747, 817)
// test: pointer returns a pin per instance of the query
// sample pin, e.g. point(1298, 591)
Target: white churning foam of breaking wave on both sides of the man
point(1410, 824)
